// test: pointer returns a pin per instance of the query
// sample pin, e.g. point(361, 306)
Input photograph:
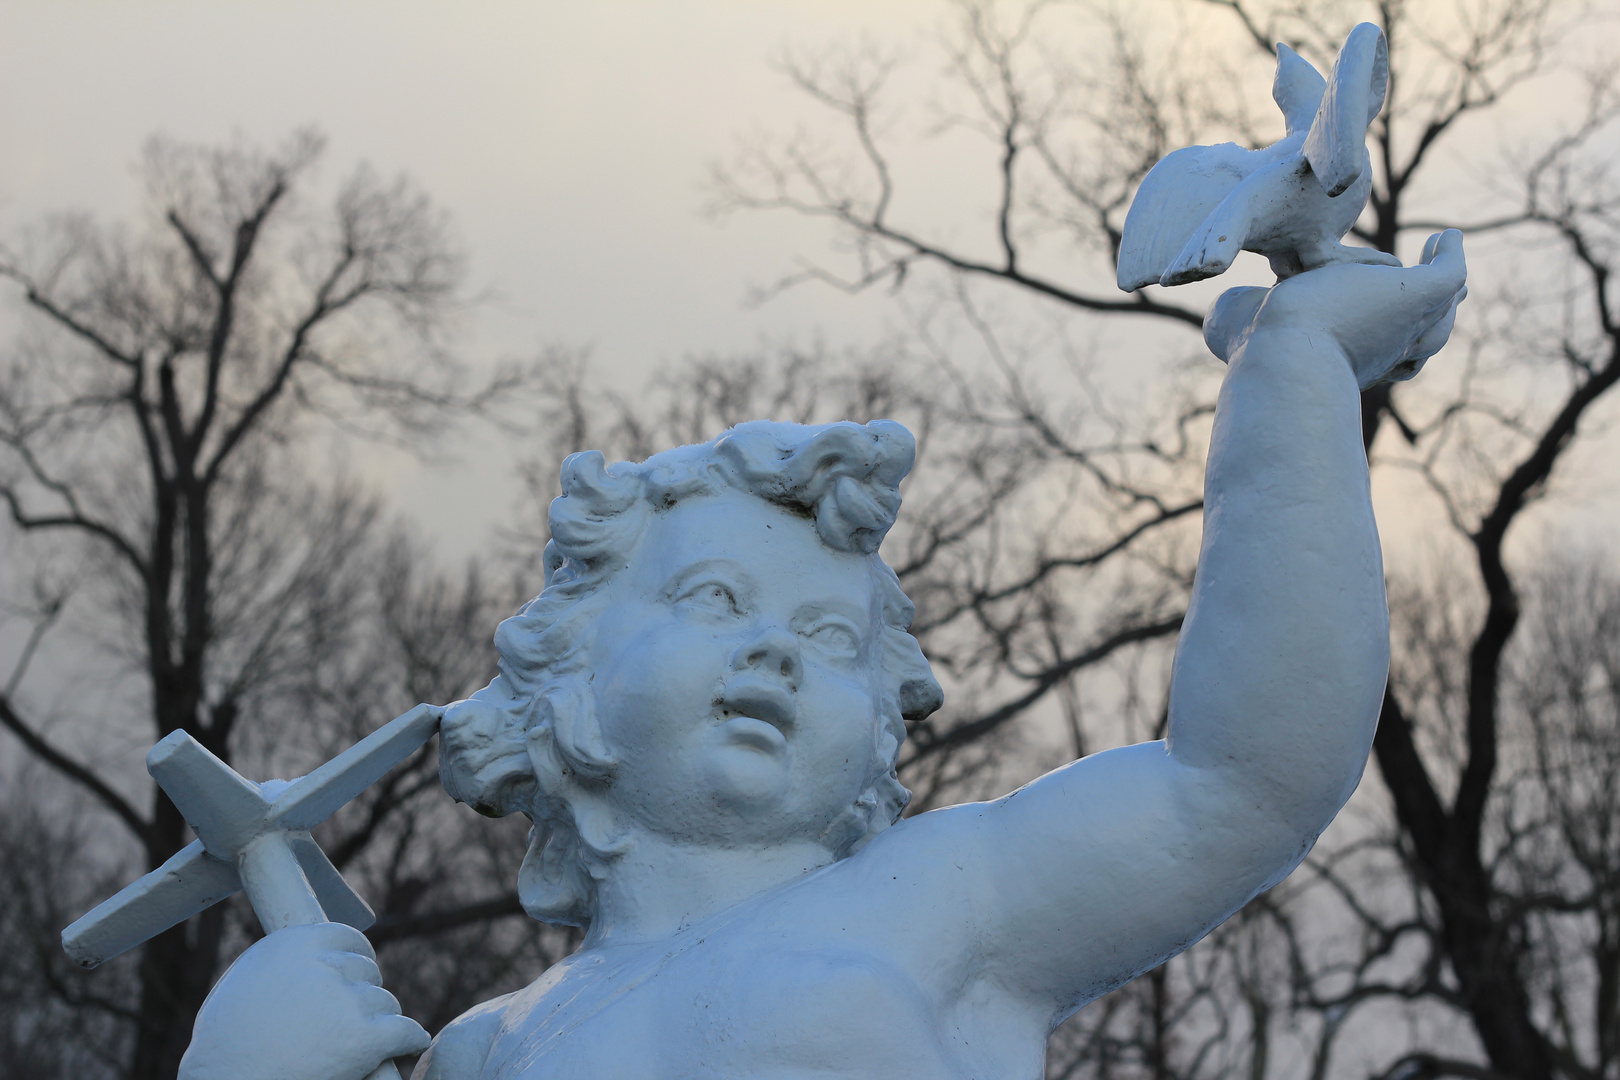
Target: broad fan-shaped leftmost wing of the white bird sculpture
point(1175, 198)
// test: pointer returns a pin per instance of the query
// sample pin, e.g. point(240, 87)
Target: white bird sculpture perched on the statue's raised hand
point(1292, 202)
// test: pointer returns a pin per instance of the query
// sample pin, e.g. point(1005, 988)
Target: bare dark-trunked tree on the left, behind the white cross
point(155, 423)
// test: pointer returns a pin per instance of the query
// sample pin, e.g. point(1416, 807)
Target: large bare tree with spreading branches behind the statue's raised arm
point(1444, 914)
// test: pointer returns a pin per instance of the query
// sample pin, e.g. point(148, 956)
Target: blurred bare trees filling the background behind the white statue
point(179, 556)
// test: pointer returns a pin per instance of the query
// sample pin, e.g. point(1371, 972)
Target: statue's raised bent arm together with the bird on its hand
point(1104, 869)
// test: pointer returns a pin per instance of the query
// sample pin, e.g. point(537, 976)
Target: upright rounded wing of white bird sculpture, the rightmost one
point(1337, 145)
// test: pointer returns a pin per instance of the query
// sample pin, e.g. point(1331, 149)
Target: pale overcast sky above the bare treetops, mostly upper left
point(569, 142)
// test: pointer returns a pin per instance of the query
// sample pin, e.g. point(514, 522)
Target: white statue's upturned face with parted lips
point(735, 676)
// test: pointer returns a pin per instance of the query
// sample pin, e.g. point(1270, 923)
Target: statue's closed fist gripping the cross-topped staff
point(302, 1005)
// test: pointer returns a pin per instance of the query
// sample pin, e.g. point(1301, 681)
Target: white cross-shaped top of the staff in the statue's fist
point(252, 838)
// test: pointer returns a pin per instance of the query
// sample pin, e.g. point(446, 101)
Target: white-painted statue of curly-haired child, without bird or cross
point(704, 708)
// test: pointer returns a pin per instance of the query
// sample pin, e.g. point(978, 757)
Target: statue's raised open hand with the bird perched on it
point(1386, 320)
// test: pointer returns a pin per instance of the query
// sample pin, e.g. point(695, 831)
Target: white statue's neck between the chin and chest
point(659, 888)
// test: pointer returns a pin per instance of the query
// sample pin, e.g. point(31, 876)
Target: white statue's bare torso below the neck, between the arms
point(780, 989)
